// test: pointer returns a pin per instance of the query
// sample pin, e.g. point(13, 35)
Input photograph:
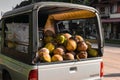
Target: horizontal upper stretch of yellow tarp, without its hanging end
point(73, 15)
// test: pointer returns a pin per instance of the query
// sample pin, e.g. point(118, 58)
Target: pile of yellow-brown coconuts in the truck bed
point(63, 46)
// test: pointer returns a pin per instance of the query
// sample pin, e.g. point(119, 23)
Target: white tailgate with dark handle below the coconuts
point(80, 70)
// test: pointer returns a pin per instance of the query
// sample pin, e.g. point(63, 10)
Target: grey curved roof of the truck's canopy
point(49, 7)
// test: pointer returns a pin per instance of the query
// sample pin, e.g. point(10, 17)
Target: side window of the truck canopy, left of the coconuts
point(16, 35)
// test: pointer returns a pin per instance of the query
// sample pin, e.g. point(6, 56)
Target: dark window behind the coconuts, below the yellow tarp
point(87, 28)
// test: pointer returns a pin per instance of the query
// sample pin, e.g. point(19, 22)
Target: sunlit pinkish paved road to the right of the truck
point(111, 60)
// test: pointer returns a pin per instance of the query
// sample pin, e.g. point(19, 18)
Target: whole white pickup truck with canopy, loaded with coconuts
point(52, 41)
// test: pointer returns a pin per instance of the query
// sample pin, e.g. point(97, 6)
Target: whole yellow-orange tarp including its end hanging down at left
point(67, 16)
